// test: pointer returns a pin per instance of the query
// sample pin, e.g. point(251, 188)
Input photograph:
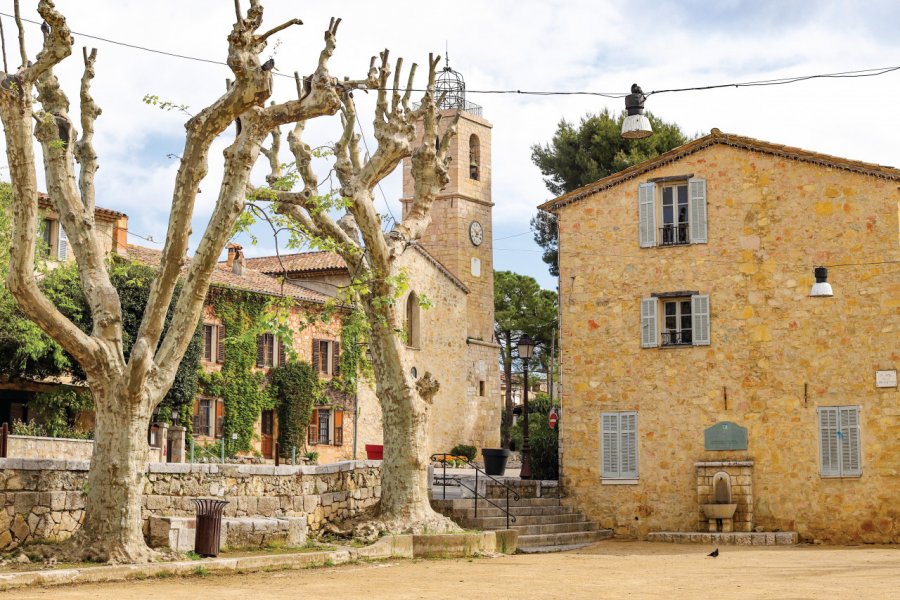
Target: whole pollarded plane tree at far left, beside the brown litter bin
point(126, 391)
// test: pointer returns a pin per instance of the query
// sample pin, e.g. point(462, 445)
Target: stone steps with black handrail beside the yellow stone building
point(543, 523)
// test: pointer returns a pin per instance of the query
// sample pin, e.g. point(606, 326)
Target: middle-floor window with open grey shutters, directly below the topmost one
point(684, 321)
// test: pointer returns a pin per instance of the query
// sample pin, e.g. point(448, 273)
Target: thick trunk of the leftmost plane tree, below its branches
point(112, 530)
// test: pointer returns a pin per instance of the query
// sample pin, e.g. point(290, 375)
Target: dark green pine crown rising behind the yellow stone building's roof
point(581, 155)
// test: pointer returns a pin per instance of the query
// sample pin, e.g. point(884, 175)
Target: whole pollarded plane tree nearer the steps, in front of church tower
point(374, 256)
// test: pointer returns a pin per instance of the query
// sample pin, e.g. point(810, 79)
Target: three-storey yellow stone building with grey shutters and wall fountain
point(698, 369)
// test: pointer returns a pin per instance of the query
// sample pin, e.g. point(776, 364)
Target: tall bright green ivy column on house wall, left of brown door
point(240, 387)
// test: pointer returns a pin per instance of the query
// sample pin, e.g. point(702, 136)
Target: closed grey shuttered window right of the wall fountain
point(839, 447)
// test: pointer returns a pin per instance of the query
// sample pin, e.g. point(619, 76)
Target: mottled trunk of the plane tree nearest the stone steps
point(405, 505)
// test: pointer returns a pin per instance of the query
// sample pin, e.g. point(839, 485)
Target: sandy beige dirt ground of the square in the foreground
point(610, 569)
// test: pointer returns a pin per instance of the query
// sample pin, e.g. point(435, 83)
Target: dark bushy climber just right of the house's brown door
point(296, 388)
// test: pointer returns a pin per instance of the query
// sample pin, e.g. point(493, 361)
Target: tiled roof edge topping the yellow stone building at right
point(718, 137)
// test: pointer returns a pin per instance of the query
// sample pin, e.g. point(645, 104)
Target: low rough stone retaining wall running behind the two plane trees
point(44, 499)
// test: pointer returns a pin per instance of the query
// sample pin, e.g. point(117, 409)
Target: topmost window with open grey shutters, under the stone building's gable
point(672, 214)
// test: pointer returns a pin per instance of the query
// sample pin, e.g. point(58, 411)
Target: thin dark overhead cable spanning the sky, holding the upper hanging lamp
point(853, 74)
